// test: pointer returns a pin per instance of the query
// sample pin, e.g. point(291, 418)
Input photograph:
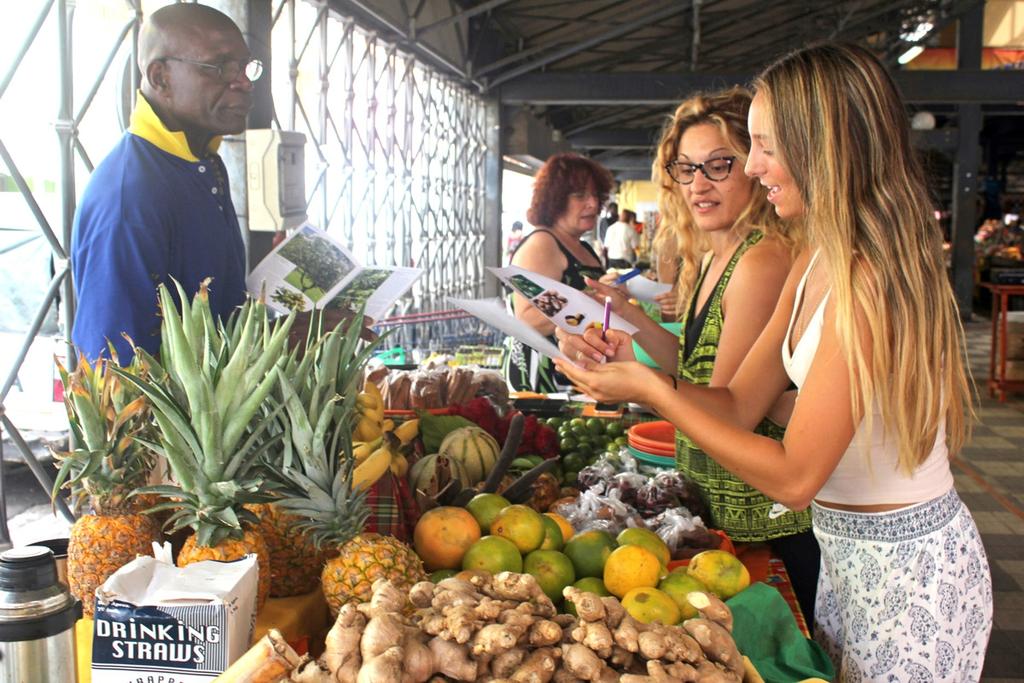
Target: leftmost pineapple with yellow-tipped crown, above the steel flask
point(104, 469)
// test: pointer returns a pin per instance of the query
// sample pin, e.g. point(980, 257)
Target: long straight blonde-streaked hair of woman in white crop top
point(841, 131)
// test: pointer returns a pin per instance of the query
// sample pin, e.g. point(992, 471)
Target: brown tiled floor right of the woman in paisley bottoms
point(990, 478)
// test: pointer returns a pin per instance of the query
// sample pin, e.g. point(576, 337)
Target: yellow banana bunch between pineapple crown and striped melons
point(378, 444)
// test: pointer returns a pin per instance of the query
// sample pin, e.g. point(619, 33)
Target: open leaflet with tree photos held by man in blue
point(310, 270)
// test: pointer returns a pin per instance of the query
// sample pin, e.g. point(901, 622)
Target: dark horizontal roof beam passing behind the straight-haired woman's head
point(666, 90)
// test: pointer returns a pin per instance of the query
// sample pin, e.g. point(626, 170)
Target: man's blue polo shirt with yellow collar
point(152, 211)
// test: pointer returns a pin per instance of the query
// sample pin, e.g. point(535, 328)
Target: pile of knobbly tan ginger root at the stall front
point(504, 629)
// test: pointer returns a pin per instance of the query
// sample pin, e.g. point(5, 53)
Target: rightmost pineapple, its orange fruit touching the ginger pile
point(320, 398)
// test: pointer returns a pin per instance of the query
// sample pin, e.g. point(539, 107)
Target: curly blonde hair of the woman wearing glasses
point(727, 110)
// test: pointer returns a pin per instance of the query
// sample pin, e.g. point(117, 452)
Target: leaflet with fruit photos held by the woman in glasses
point(570, 309)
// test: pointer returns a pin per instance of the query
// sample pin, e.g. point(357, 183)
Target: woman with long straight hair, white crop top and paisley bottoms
point(869, 330)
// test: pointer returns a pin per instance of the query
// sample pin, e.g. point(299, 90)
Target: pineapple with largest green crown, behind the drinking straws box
point(207, 400)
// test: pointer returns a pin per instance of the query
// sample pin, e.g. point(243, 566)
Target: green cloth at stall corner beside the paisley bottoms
point(766, 632)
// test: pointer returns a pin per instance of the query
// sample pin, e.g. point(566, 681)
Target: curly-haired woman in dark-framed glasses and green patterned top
point(736, 255)
